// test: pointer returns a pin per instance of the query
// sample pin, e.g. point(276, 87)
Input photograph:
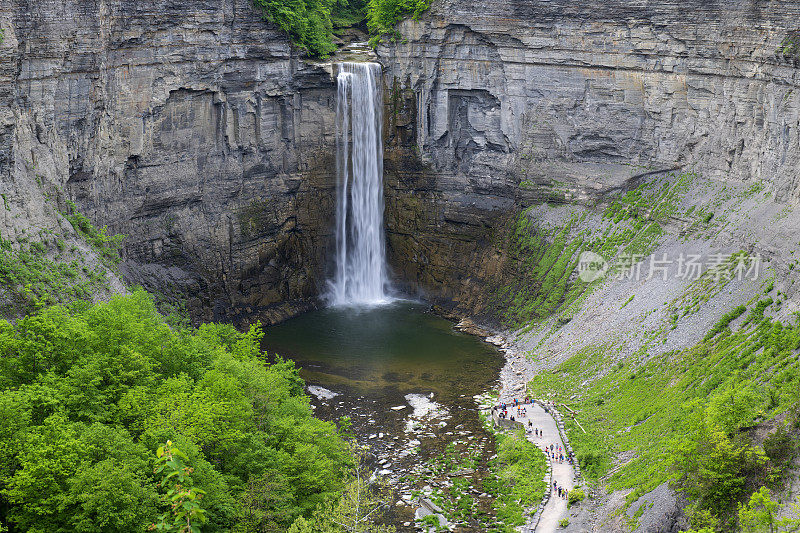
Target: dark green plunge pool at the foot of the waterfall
point(400, 346)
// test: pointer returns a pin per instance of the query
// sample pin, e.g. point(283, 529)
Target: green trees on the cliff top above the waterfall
point(311, 23)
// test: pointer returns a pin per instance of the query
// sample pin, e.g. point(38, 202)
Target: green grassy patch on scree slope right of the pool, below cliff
point(547, 258)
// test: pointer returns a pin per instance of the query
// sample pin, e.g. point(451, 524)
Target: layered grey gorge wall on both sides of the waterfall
point(198, 131)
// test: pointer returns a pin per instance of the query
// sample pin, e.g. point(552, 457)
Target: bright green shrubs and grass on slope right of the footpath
point(695, 426)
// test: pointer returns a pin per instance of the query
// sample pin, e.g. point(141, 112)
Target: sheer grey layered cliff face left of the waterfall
point(191, 127)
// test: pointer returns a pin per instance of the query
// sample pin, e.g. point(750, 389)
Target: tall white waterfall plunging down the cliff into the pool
point(360, 276)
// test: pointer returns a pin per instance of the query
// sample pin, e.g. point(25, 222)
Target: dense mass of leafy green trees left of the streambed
point(90, 391)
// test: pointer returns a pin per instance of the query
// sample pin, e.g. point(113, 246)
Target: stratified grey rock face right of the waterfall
point(571, 99)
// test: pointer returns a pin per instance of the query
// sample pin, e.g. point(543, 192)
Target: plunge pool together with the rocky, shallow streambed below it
point(413, 387)
